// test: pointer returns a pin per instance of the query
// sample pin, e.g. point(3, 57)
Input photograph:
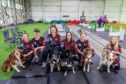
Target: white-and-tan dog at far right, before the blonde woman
point(108, 57)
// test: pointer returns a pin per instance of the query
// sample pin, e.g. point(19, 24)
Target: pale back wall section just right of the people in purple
point(113, 9)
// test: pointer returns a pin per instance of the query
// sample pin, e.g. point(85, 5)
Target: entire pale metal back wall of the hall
point(93, 9)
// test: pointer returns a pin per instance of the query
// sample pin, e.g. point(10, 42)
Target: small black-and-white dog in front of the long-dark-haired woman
point(69, 64)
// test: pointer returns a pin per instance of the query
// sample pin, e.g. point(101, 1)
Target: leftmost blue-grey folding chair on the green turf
point(7, 38)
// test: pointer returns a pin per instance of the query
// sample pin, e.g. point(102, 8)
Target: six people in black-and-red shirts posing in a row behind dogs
point(43, 47)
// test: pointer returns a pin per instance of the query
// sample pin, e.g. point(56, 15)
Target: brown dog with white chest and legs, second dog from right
point(88, 53)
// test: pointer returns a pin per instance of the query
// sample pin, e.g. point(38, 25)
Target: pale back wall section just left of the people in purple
point(92, 9)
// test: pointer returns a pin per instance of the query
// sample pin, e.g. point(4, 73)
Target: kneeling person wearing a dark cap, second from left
point(38, 44)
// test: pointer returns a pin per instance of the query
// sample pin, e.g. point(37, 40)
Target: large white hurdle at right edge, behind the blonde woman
point(119, 34)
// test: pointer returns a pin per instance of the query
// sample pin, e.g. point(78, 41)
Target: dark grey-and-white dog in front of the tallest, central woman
point(55, 60)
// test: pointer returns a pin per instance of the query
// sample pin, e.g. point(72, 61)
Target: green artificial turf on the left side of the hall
point(4, 52)
